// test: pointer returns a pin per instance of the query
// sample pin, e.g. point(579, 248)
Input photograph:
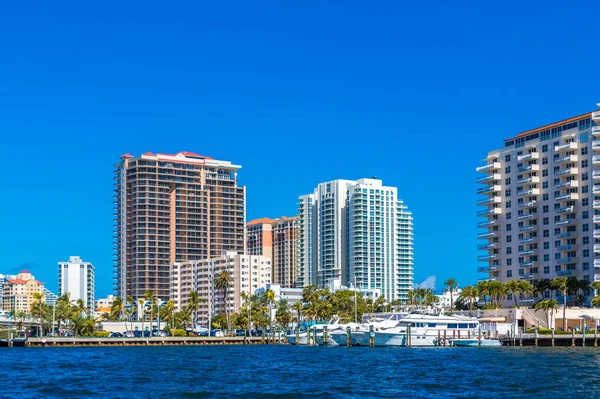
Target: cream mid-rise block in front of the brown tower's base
point(248, 274)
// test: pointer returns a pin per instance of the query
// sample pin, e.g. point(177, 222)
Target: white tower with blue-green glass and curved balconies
point(358, 233)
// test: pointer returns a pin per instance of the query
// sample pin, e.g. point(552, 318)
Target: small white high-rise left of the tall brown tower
point(77, 278)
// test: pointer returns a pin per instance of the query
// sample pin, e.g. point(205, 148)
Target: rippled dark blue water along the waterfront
point(280, 371)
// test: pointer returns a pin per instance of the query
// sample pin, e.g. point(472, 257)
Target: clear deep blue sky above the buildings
point(414, 93)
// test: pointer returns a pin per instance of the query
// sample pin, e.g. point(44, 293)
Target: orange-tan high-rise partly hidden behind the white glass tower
point(275, 238)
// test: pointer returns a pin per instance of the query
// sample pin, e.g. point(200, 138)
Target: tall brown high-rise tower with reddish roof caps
point(172, 208)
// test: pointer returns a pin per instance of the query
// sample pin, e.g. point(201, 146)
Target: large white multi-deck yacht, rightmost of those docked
point(426, 330)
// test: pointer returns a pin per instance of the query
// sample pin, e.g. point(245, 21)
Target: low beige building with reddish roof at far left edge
point(18, 292)
